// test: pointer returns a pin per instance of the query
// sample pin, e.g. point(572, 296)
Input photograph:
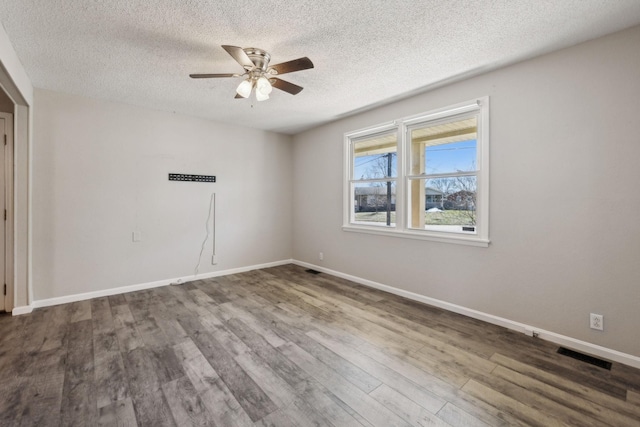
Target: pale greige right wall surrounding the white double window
point(564, 229)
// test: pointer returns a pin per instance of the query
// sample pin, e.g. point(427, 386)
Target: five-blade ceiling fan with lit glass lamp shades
point(259, 74)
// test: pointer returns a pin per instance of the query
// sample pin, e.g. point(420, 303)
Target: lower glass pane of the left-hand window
point(370, 205)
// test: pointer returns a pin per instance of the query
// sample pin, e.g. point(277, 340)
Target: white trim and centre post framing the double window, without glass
point(481, 239)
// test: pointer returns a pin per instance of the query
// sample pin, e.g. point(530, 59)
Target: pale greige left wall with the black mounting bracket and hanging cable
point(101, 172)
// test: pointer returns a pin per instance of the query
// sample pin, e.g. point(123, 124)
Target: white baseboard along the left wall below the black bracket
point(141, 286)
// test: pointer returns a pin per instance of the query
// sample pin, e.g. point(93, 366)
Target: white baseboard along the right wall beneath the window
point(565, 341)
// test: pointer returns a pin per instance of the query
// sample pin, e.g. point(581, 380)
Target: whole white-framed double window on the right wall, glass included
point(424, 176)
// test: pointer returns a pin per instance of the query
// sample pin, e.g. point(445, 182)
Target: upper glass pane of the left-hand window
point(375, 157)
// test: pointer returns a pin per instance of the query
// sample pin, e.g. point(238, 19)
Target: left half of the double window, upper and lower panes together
point(374, 172)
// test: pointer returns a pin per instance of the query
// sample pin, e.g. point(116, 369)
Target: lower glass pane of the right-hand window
point(444, 204)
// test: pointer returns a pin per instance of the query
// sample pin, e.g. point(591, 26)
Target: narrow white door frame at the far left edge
point(9, 249)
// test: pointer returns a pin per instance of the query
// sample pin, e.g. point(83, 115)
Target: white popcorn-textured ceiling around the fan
point(366, 52)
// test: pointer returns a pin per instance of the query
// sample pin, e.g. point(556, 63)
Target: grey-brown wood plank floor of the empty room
point(282, 347)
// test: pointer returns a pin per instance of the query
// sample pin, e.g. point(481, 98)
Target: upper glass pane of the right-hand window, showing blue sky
point(444, 147)
